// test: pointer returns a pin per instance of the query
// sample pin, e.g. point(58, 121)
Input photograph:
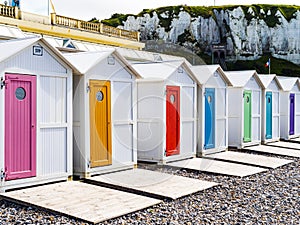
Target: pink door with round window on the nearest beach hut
point(20, 126)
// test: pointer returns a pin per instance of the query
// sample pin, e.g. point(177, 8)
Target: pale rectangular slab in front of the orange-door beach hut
point(152, 183)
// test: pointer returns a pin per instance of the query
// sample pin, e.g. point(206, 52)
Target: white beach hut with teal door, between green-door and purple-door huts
point(270, 131)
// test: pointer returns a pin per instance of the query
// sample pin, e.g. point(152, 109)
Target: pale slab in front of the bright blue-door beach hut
point(250, 159)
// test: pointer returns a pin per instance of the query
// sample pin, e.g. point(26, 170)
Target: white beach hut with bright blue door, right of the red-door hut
point(212, 109)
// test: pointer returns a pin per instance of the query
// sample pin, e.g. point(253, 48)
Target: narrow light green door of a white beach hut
point(247, 116)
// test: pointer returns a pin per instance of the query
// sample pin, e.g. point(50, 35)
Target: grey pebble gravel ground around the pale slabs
point(272, 197)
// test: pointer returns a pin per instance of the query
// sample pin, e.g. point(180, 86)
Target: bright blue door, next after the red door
point(209, 118)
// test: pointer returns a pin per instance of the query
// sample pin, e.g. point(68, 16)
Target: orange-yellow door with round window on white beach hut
point(100, 123)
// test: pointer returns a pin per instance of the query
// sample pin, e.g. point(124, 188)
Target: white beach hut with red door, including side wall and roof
point(166, 111)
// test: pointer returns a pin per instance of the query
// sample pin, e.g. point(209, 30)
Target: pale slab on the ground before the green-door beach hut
point(274, 150)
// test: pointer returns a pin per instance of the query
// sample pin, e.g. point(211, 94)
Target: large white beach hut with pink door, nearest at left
point(35, 112)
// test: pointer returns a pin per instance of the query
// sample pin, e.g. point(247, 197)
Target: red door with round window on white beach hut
point(173, 121)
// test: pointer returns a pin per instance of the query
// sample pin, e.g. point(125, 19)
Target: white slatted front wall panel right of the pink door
point(53, 125)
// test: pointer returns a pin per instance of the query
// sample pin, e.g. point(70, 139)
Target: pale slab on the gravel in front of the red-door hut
point(218, 167)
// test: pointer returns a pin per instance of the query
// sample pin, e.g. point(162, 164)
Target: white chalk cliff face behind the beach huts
point(244, 38)
